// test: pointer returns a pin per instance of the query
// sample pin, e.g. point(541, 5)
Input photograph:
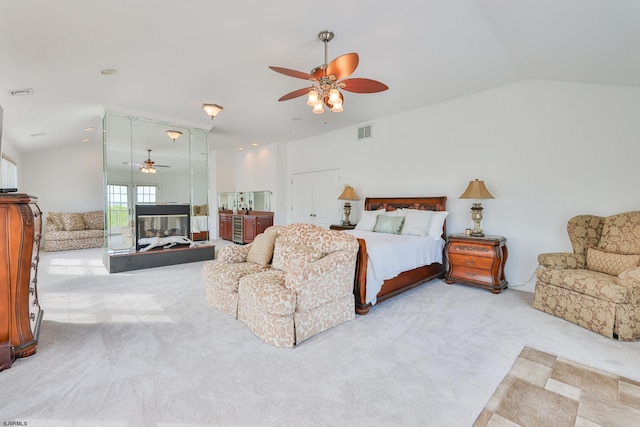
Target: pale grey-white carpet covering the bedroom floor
point(143, 348)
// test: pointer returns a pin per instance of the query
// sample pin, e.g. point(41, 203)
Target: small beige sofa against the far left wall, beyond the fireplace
point(66, 231)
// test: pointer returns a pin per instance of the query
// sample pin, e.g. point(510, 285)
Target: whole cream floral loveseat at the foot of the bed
point(291, 283)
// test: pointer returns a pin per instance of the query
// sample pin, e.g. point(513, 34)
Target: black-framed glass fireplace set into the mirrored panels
point(162, 221)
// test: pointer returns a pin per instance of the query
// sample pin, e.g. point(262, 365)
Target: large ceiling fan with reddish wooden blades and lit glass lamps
point(329, 78)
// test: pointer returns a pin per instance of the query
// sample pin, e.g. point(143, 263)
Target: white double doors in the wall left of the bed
point(314, 197)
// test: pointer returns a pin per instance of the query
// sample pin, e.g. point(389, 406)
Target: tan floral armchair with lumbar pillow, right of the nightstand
point(598, 285)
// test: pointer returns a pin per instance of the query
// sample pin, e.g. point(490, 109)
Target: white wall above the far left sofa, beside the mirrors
point(64, 179)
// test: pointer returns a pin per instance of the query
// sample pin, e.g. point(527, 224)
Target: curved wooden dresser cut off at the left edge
point(20, 313)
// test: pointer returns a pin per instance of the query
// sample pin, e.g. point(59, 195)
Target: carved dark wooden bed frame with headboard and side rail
point(408, 279)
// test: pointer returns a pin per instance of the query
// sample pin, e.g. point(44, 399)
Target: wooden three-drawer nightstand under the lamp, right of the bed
point(477, 261)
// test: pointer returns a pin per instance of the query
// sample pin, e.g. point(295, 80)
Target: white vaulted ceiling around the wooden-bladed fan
point(173, 56)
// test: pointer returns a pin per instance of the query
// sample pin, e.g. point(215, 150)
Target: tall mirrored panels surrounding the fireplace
point(147, 163)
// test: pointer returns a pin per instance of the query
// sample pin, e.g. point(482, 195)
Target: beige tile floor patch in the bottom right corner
point(544, 390)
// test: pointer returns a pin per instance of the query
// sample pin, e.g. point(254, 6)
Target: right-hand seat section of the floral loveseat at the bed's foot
point(308, 289)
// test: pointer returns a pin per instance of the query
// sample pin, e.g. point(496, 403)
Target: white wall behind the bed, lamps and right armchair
point(546, 150)
